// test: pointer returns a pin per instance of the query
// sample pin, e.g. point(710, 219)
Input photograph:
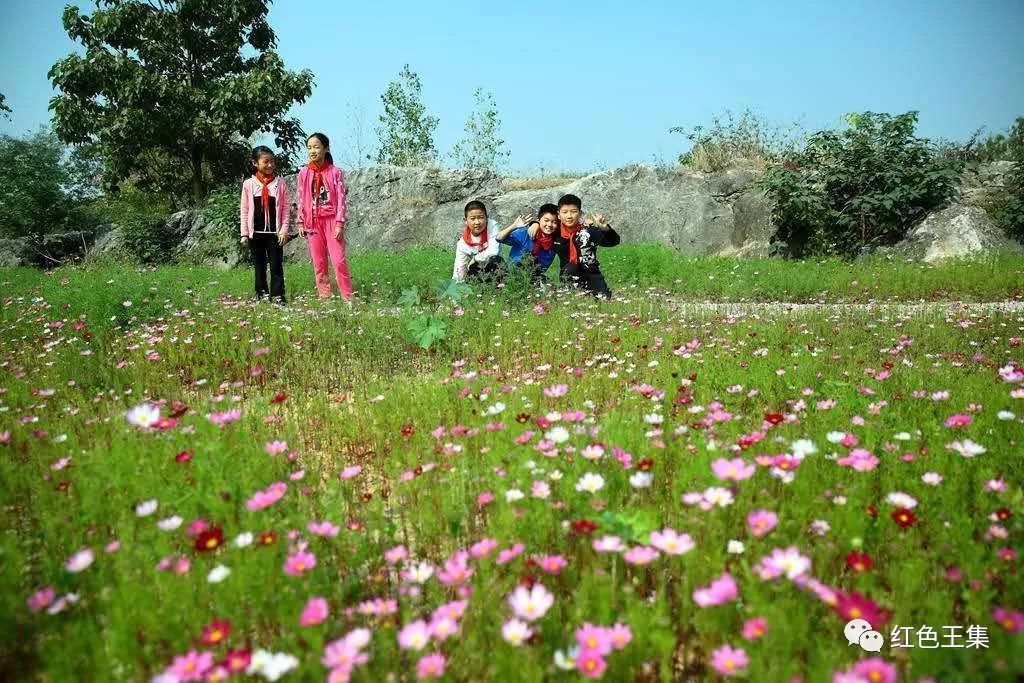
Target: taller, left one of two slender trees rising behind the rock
point(407, 131)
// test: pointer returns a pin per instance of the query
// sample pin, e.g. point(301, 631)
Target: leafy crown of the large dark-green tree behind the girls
point(168, 92)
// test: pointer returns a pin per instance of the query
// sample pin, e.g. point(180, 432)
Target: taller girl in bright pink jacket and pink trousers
point(321, 190)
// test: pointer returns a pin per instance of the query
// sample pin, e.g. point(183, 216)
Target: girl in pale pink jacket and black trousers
point(265, 223)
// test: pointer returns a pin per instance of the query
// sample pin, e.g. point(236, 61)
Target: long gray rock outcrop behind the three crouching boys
point(721, 214)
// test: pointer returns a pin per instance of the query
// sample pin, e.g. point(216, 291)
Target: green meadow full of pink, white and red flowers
point(196, 486)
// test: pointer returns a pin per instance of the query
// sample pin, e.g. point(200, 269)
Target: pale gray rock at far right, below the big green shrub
point(957, 232)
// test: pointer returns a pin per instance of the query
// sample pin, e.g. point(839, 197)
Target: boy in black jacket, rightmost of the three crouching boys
point(577, 246)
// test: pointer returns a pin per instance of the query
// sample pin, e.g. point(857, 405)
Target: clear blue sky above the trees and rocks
point(589, 86)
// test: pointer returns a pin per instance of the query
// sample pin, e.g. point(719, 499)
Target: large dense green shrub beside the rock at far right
point(857, 189)
